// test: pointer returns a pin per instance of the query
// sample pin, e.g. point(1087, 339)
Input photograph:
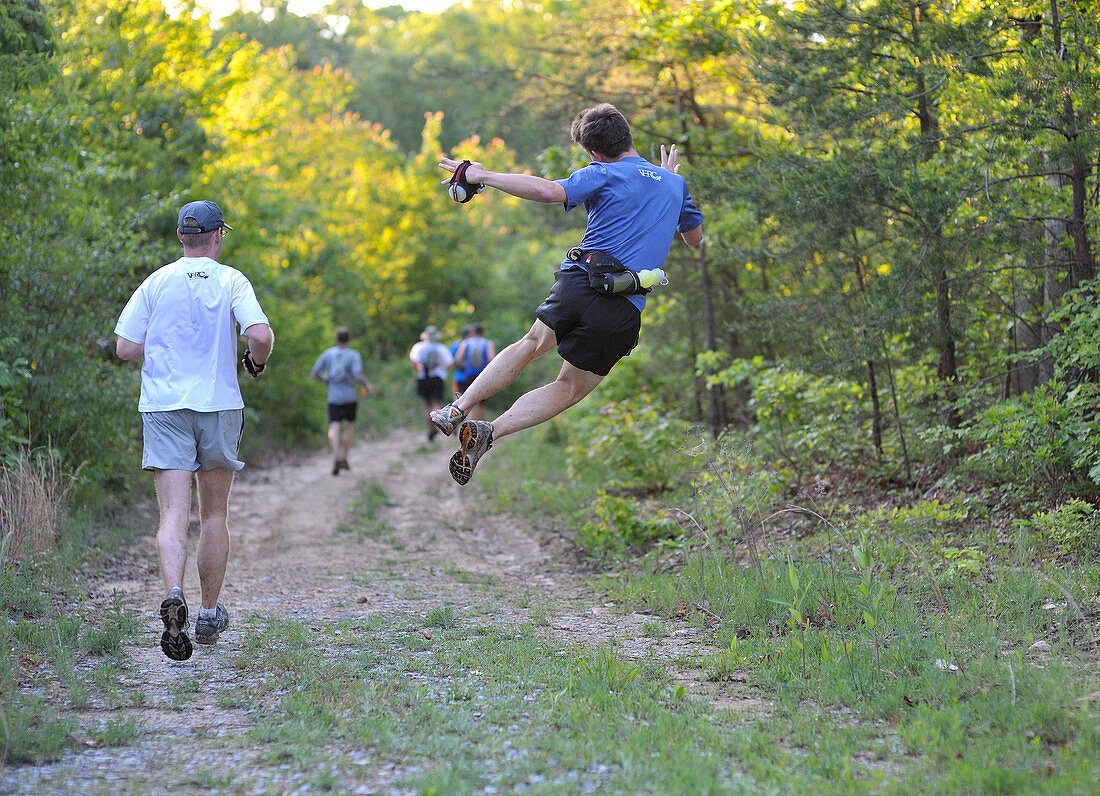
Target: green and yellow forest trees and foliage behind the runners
point(901, 206)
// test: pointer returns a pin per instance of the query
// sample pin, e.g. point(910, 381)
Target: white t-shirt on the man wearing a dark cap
point(188, 315)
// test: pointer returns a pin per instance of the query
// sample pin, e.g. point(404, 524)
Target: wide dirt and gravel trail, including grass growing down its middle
point(387, 636)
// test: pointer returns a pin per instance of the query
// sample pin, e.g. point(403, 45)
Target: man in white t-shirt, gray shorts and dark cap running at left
point(182, 325)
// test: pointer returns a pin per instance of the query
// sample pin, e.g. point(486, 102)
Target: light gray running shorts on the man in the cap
point(184, 439)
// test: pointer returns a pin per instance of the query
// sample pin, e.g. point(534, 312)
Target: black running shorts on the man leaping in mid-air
point(595, 330)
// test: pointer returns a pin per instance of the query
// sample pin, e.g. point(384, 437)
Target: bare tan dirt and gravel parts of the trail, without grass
point(291, 560)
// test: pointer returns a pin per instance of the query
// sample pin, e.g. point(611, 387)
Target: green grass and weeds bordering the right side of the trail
point(893, 648)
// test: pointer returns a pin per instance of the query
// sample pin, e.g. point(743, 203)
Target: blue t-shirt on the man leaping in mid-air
point(635, 211)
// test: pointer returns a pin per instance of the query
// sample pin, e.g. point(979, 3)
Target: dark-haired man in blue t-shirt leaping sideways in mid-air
point(635, 211)
